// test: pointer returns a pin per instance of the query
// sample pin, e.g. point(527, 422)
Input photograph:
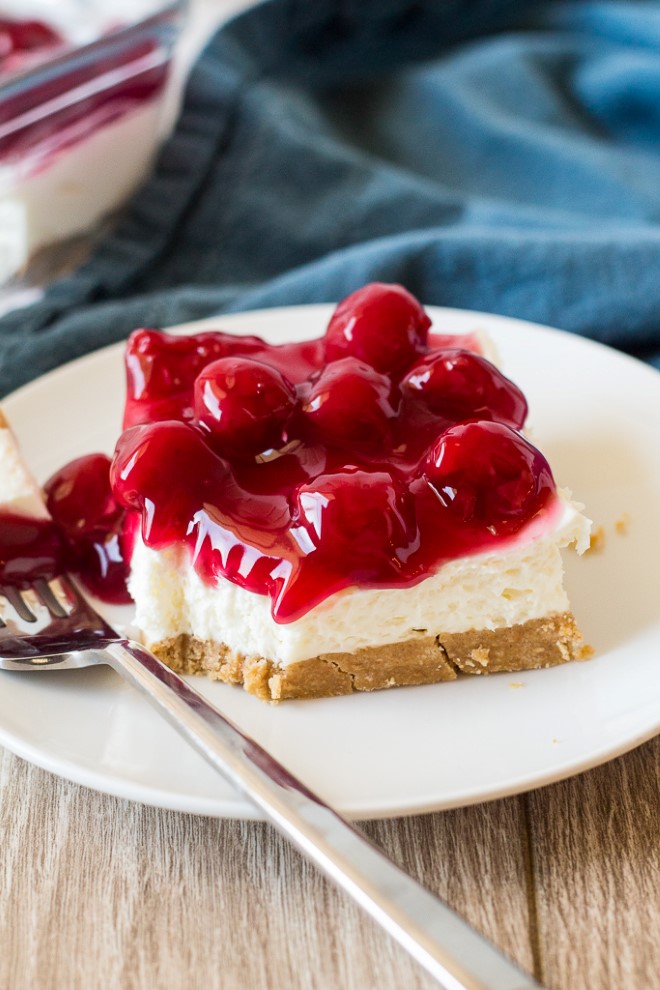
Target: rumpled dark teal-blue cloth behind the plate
point(492, 155)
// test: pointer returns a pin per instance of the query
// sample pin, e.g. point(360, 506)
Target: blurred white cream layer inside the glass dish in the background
point(47, 197)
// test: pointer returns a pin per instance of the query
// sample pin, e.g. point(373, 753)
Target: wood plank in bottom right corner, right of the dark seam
point(596, 862)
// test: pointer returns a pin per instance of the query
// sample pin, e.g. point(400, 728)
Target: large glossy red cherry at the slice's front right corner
point(485, 473)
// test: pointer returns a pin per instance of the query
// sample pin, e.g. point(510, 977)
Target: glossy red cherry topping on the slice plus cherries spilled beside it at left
point(367, 457)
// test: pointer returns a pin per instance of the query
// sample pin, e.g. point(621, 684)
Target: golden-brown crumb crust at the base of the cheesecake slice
point(531, 645)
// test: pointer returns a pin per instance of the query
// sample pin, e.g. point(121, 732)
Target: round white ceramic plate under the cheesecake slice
point(596, 415)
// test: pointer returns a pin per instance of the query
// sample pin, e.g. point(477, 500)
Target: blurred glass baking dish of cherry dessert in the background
point(79, 126)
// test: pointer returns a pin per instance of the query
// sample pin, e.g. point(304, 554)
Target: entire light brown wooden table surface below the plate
point(97, 892)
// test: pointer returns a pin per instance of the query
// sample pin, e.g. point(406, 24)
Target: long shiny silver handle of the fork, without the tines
point(445, 945)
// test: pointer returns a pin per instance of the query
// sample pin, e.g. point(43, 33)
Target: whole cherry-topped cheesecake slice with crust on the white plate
point(347, 514)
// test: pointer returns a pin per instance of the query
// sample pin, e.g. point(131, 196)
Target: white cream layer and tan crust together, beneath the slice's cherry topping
point(491, 612)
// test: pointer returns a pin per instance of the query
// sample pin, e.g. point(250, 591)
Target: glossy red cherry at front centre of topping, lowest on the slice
point(368, 512)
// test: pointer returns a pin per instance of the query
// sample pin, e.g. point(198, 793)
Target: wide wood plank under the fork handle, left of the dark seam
point(99, 892)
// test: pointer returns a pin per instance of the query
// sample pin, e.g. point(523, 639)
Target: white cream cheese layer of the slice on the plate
point(484, 591)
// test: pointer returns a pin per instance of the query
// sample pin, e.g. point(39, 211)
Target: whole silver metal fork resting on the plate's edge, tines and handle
point(52, 625)
